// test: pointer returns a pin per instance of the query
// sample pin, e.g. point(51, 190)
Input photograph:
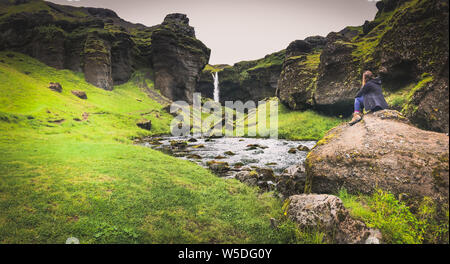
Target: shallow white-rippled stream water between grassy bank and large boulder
point(227, 156)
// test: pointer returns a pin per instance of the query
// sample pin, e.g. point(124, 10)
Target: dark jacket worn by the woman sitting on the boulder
point(373, 95)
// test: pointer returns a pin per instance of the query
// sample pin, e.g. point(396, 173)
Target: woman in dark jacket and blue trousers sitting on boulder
point(370, 97)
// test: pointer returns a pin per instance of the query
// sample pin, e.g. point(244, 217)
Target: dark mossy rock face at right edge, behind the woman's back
point(414, 48)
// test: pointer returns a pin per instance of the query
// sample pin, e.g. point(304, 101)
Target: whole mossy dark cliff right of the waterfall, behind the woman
point(406, 44)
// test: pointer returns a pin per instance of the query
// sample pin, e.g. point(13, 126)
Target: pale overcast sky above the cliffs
point(237, 30)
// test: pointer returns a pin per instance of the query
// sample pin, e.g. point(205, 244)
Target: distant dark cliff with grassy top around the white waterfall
point(245, 80)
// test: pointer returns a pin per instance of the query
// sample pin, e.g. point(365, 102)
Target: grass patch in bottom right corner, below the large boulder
point(394, 219)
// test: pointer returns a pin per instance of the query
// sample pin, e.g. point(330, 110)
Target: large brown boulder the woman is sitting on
point(382, 151)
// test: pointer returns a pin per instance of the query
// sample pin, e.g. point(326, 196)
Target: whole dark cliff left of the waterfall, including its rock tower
point(103, 46)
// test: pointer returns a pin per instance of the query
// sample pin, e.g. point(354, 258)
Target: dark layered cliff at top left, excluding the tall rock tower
point(94, 41)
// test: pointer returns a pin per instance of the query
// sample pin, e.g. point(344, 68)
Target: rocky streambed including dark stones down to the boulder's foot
point(267, 163)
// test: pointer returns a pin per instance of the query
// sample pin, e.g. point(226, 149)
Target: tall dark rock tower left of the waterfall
point(177, 58)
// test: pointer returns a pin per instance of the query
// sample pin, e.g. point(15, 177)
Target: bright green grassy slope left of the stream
point(86, 179)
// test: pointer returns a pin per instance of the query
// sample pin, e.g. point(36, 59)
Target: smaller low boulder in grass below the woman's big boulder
point(327, 213)
